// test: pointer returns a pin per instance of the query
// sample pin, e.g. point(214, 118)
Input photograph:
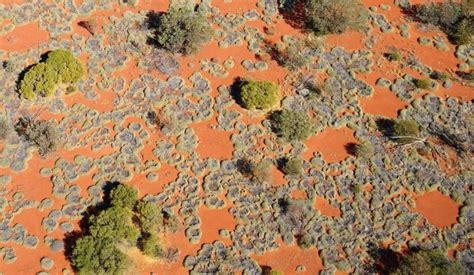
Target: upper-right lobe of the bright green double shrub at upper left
point(69, 68)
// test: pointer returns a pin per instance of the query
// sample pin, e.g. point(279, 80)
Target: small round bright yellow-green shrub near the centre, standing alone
point(261, 95)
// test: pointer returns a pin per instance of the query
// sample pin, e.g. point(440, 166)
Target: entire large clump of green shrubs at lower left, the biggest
point(124, 222)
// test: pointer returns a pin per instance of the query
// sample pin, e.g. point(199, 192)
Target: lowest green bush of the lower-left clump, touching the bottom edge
point(92, 255)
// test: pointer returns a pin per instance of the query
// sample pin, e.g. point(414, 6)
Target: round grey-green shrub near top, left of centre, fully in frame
point(180, 30)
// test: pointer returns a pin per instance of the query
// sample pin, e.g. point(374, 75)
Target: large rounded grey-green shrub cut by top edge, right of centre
point(334, 16)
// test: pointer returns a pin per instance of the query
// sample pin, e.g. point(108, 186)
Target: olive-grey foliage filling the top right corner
point(453, 18)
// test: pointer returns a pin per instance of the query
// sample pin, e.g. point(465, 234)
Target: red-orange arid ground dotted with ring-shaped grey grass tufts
point(226, 219)
